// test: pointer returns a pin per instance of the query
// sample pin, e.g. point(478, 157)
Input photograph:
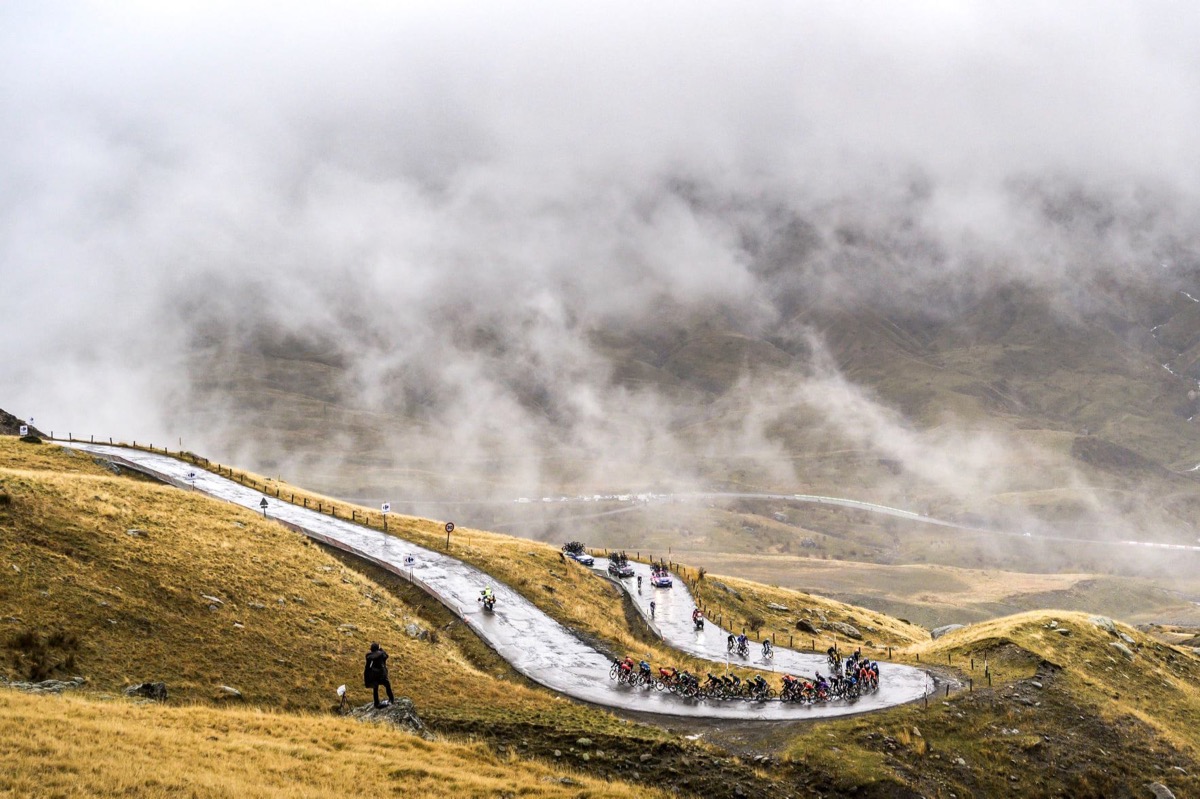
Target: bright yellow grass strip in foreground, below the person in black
point(73, 747)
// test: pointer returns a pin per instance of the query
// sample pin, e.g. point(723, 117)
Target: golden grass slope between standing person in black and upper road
point(127, 581)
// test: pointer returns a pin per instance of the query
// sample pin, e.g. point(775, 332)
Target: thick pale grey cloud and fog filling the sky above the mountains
point(393, 175)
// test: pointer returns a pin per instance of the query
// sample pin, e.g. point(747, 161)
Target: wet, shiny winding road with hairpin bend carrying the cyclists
point(536, 645)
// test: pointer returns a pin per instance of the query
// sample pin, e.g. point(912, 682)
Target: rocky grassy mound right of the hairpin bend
point(1065, 714)
